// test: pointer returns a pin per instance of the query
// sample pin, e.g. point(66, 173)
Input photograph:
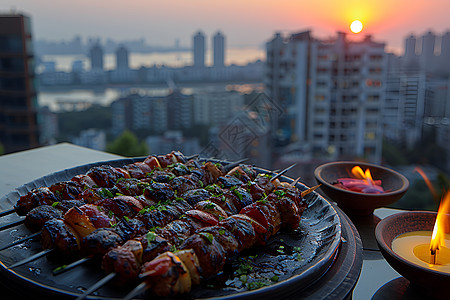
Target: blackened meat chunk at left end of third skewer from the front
point(100, 241)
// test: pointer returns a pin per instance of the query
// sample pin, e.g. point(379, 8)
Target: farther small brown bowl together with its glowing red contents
point(356, 196)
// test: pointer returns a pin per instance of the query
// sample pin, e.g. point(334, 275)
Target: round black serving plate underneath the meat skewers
point(319, 238)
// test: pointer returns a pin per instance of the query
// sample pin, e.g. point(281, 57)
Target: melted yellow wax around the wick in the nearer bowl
point(415, 248)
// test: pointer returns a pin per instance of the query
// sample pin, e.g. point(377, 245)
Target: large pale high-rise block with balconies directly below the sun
point(331, 93)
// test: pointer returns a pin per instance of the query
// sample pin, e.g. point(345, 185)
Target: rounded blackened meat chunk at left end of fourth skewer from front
point(57, 234)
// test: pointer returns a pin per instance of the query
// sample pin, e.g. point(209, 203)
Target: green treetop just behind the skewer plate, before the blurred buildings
point(128, 145)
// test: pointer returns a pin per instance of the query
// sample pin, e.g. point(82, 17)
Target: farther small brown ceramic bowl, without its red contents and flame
point(356, 203)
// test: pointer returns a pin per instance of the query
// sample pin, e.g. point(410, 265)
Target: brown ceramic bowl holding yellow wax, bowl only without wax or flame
point(391, 227)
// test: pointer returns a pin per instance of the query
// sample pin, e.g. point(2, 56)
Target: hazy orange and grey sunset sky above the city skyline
point(247, 23)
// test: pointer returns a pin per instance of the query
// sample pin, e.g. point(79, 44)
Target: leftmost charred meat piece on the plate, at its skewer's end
point(34, 198)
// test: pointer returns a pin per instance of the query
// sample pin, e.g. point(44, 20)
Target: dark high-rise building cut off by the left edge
point(18, 100)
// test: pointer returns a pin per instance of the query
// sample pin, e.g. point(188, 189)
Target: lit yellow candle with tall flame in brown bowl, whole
point(417, 245)
